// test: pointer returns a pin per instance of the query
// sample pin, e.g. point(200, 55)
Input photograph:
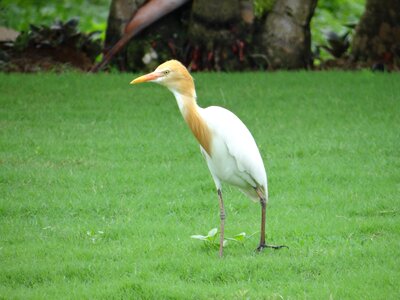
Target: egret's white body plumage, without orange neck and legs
point(235, 158)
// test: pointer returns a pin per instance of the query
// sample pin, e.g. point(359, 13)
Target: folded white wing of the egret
point(239, 142)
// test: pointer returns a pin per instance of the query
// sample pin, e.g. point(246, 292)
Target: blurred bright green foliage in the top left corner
point(19, 14)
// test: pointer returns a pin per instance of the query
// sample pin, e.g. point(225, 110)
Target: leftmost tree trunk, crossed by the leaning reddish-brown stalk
point(163, 39)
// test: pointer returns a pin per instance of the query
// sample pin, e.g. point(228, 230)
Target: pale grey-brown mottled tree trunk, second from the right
point(286, 35)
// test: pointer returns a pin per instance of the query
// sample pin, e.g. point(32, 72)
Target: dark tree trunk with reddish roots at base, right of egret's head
point(219, 33)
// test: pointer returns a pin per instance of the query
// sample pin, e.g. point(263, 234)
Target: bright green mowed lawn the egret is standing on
point(102, 185)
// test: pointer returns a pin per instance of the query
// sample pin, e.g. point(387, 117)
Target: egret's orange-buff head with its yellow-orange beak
point(171, 74)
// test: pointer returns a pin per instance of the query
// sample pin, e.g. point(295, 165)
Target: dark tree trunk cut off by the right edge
point(377, 38)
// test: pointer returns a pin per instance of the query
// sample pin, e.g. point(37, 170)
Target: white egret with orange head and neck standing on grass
point(229, 148)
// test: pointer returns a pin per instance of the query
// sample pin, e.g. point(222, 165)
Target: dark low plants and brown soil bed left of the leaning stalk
point(44, 48)
